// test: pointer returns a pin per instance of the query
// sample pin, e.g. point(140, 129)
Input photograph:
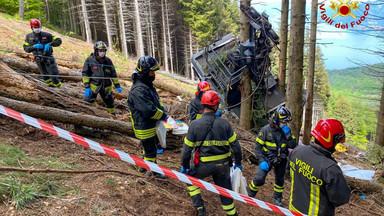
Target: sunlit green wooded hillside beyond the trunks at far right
point(354, 102)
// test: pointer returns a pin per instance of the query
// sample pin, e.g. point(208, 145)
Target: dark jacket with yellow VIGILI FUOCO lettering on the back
point(318, 184)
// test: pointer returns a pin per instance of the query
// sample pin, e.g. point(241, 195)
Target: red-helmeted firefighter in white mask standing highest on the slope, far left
point(40, 44)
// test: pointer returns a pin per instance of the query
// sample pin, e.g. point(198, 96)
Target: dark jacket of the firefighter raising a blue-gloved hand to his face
point(272, 145)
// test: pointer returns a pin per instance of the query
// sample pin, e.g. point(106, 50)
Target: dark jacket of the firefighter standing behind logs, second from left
point(93, 68)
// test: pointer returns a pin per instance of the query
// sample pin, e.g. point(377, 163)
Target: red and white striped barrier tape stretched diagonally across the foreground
point(142, 163)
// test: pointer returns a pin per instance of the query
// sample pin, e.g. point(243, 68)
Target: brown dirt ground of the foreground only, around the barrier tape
point(137, 194)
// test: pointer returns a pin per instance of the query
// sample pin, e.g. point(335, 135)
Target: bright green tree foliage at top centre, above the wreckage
point(210, 19)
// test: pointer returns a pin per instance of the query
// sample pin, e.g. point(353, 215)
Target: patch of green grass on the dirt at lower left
point(21, 189)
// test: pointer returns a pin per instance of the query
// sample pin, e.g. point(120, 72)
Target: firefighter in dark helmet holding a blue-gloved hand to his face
point(271, 150)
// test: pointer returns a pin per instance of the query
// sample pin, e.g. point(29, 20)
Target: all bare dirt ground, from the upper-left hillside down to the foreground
point(132, 193)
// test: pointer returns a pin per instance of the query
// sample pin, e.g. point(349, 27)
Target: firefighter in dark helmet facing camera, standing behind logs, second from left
point(98, 71)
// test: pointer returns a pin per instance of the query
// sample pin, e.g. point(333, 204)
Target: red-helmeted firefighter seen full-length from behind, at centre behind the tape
point(211, 140)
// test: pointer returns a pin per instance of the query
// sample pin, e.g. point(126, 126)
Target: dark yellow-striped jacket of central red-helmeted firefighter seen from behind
point(218, 144)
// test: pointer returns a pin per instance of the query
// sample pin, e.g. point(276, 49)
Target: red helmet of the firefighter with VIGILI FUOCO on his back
point(329, 132)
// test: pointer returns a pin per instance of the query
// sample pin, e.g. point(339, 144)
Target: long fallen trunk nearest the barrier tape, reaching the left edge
point(54, 114)
